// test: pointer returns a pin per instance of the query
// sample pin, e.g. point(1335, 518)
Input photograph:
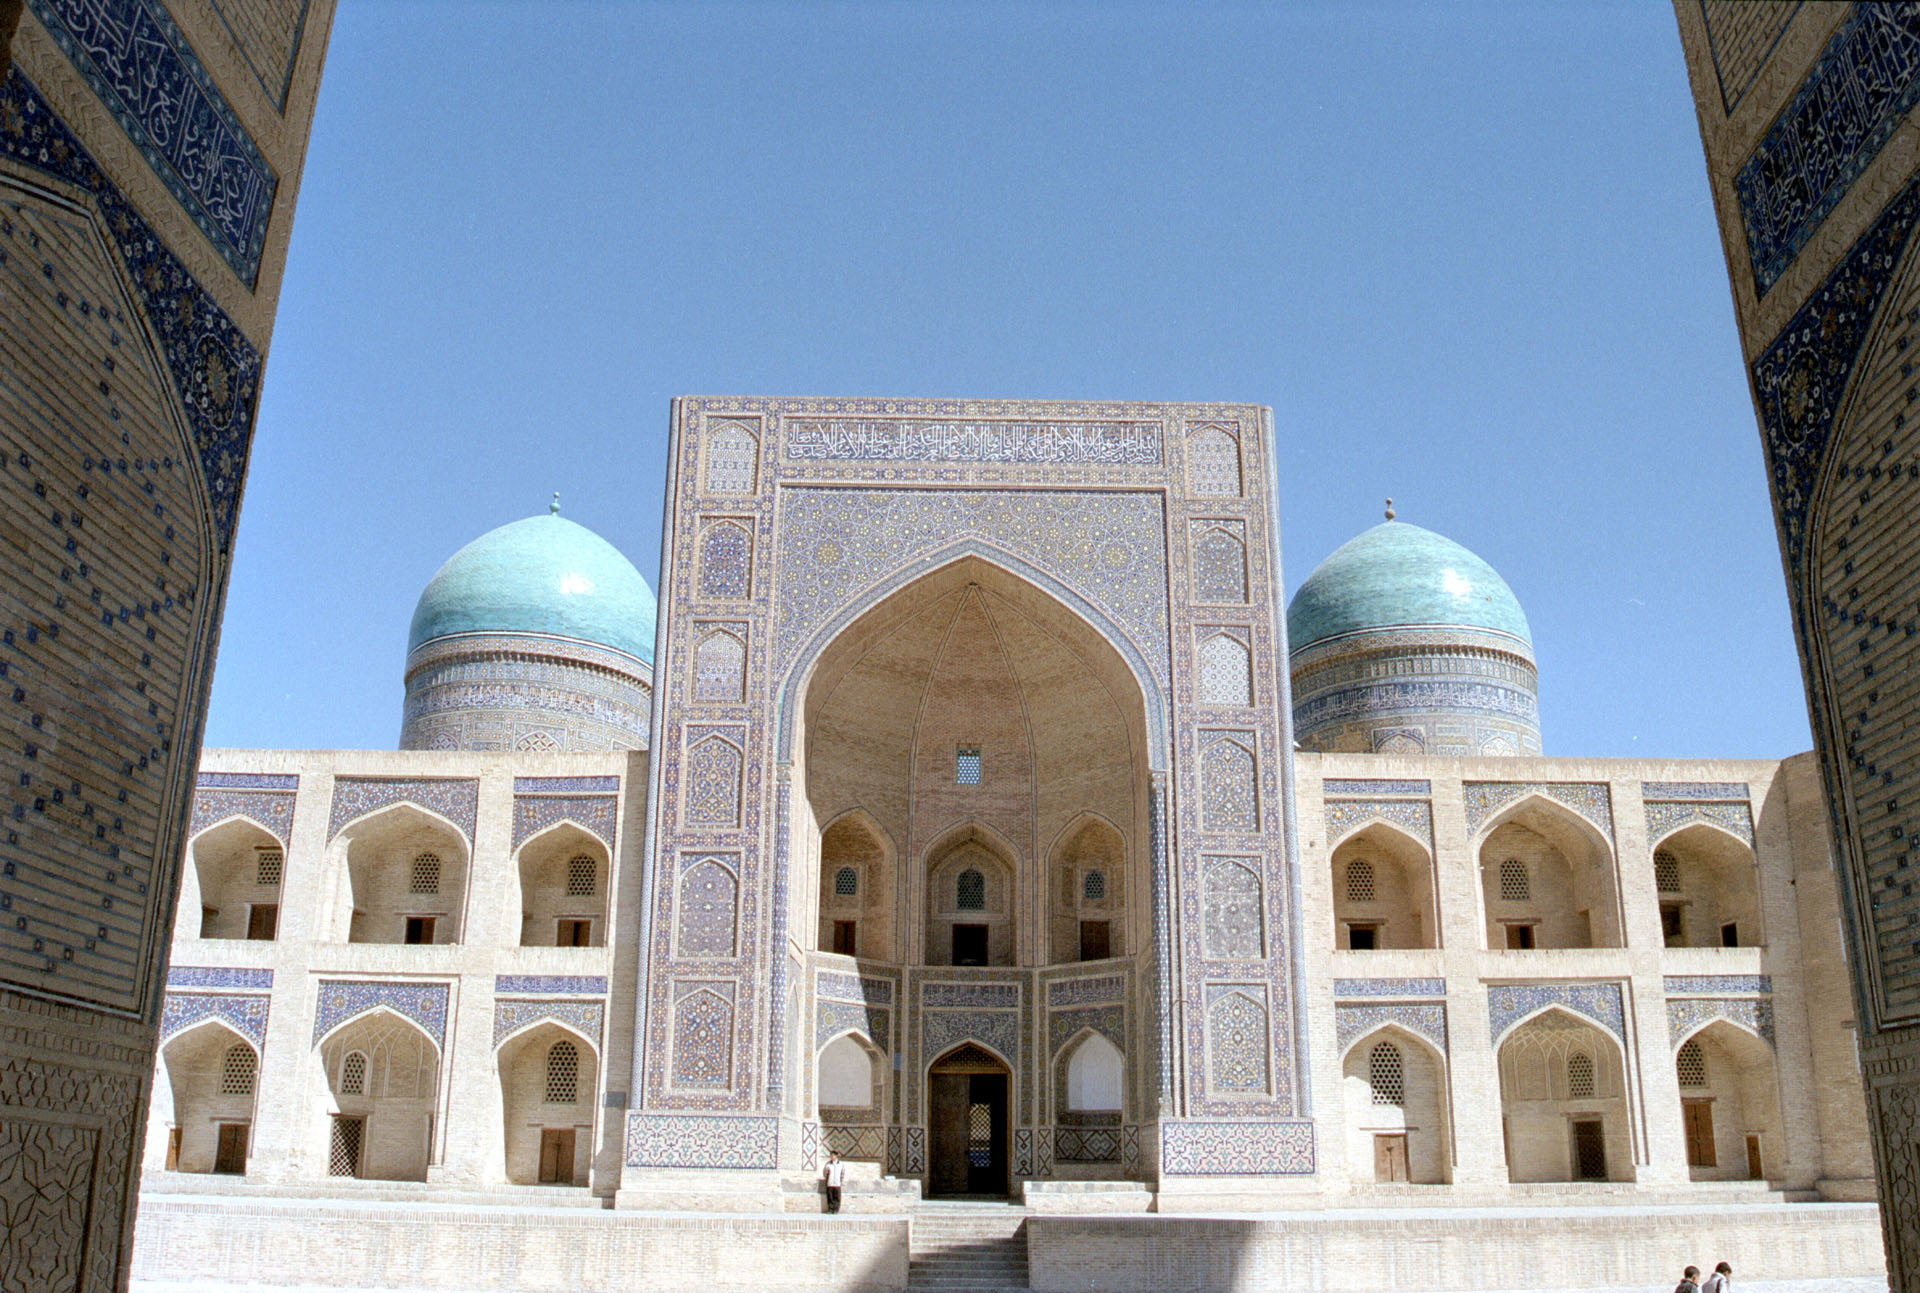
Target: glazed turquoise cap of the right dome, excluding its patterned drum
point(1399, 575)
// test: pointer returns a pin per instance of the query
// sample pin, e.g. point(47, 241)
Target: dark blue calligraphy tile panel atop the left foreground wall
point(145, 72)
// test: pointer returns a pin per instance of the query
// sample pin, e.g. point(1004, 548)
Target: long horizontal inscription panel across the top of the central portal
point(971, 441)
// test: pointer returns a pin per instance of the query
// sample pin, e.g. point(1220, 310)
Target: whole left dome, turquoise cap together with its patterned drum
point(533, 637)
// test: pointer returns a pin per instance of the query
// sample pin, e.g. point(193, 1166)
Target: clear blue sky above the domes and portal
point(1466, 253)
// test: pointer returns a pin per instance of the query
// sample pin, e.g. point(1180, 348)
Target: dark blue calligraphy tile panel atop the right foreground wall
point(1856, 97)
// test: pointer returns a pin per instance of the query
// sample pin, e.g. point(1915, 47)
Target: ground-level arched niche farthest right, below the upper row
point(1729, 1106)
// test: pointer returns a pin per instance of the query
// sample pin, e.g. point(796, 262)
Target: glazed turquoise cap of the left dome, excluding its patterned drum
point(542, 575)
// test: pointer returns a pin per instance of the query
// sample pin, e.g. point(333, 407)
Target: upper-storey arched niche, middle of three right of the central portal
point(1548, 881)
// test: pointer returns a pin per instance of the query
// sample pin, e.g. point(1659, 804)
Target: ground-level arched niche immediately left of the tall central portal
point(548, 1085)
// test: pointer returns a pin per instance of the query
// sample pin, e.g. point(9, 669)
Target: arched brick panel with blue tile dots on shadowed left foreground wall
point(107, 622)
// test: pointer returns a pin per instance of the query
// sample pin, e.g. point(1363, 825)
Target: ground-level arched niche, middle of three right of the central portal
point(1564, 1102)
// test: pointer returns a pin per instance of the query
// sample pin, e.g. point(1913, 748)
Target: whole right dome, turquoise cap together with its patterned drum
point(1406, 643)
